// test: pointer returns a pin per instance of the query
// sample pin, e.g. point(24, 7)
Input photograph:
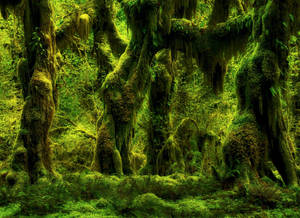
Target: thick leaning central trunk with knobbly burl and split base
point(123, 91)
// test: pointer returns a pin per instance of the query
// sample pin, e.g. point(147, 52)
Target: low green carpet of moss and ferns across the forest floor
point(89, 194)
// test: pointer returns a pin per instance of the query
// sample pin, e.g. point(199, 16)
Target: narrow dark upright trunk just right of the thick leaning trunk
point(160, 94)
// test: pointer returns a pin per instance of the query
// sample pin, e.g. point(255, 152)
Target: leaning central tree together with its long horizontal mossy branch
point(125, 87)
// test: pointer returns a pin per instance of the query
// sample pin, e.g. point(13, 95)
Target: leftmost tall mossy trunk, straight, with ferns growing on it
point(32, 152)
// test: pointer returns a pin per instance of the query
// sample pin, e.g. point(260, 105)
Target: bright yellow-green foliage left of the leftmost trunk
point(11, 100)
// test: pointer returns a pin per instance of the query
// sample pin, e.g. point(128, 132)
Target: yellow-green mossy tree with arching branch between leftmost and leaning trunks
point(97, 17)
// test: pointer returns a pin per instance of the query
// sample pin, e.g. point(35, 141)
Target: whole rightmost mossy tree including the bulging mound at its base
point(260, 83)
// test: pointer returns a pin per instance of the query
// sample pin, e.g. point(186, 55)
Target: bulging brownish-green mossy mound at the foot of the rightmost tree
point(244, 149)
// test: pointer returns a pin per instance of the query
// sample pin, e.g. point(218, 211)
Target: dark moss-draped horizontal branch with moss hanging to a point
point(212, 47)
